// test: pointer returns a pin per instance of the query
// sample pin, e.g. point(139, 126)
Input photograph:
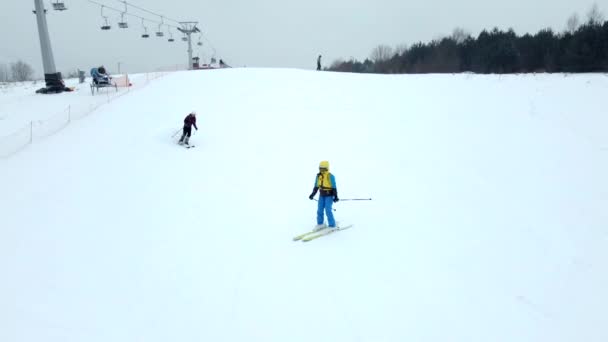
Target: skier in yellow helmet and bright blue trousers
point(325, 183)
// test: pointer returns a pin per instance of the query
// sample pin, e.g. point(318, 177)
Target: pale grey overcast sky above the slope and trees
point(262, 33)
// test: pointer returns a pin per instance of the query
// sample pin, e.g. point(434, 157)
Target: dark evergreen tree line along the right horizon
point(581, 47)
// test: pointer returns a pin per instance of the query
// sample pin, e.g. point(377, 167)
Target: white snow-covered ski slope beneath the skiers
point(488, 219)
